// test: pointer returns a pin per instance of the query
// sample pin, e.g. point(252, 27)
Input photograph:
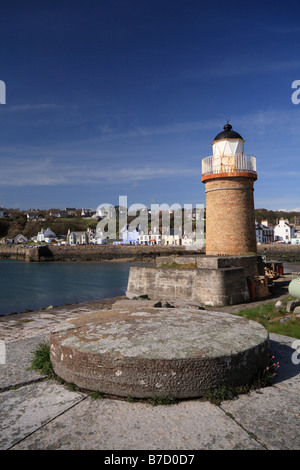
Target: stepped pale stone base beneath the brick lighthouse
point(200, 280)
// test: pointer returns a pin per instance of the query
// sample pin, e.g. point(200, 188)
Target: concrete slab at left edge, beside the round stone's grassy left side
point(16, 370)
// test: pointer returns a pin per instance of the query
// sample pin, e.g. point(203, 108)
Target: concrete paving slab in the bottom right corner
point(272, 415)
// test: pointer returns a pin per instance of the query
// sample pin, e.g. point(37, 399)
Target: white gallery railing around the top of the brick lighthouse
point(229, 164)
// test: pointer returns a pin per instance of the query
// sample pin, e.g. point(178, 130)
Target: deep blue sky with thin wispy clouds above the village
point(124, 97)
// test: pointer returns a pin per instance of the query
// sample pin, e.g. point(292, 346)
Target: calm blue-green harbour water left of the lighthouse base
point(35, 285)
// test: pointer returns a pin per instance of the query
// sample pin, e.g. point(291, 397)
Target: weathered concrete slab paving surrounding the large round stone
point(37, 413)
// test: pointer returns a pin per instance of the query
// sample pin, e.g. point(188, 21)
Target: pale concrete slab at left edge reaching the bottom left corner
point(26, 409)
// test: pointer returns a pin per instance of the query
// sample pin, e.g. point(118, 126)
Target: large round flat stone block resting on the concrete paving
point(147, 352)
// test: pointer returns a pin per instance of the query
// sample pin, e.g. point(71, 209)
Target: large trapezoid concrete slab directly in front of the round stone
point(118, 425)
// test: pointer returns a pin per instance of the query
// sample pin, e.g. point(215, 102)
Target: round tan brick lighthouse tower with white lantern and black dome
point(229, 176)
